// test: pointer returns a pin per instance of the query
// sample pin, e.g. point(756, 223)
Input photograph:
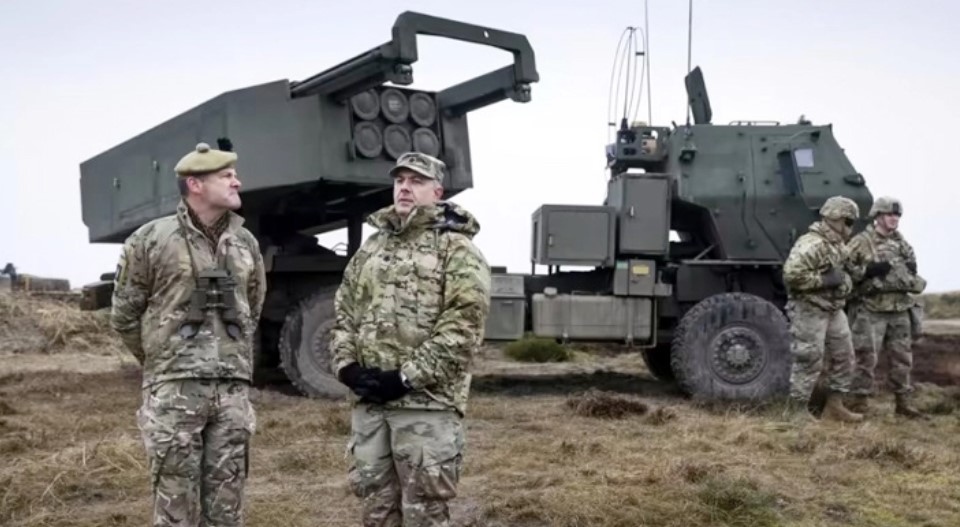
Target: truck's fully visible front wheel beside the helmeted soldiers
point(732, 346)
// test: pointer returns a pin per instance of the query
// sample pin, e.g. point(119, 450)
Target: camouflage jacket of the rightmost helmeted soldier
point(890, 293)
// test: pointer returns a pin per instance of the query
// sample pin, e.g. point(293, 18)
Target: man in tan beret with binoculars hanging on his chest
point(189, 292)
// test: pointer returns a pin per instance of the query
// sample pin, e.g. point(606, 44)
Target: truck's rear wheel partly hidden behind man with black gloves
point(304, 347)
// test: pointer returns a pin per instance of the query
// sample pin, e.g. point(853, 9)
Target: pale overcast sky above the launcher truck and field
point(81, 77)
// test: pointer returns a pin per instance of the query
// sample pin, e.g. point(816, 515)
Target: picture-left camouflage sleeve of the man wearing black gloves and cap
point(343, 336)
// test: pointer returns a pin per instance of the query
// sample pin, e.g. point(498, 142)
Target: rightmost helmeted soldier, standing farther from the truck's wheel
point(884, 270)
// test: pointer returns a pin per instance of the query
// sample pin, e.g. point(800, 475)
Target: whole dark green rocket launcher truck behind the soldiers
point(682, 260)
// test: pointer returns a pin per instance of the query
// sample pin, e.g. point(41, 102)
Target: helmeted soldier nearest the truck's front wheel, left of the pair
point(818, 286)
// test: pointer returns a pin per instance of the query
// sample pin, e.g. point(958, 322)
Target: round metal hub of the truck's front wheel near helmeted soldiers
point(737, 354)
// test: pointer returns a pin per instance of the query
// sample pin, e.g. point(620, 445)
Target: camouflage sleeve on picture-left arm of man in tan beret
point(130, 293)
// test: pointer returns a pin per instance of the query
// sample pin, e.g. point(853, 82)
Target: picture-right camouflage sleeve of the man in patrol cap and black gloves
point(459, 328)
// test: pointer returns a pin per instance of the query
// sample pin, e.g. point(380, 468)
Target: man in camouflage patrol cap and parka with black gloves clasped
point(410, 316)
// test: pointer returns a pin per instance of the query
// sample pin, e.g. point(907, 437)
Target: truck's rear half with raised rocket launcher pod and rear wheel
point(314, 156)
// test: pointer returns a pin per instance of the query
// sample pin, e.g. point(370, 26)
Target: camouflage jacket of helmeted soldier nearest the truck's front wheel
point(815, 253)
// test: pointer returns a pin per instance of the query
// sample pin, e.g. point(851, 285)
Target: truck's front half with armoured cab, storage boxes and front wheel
point(684, 257)
